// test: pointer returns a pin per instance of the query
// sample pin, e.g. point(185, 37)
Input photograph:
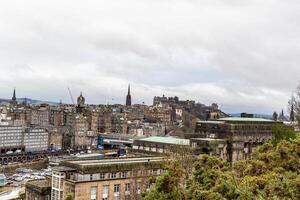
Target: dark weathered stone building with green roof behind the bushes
point(232, 138)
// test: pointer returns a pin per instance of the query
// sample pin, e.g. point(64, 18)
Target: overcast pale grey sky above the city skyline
point(242, 54)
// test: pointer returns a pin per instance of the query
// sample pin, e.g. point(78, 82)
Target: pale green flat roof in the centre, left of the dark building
point(166, 140)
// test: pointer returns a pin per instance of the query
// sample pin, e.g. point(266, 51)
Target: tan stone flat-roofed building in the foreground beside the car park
point(107, 179)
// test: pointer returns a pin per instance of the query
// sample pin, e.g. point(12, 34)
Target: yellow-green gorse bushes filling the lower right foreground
point(272, 173)
